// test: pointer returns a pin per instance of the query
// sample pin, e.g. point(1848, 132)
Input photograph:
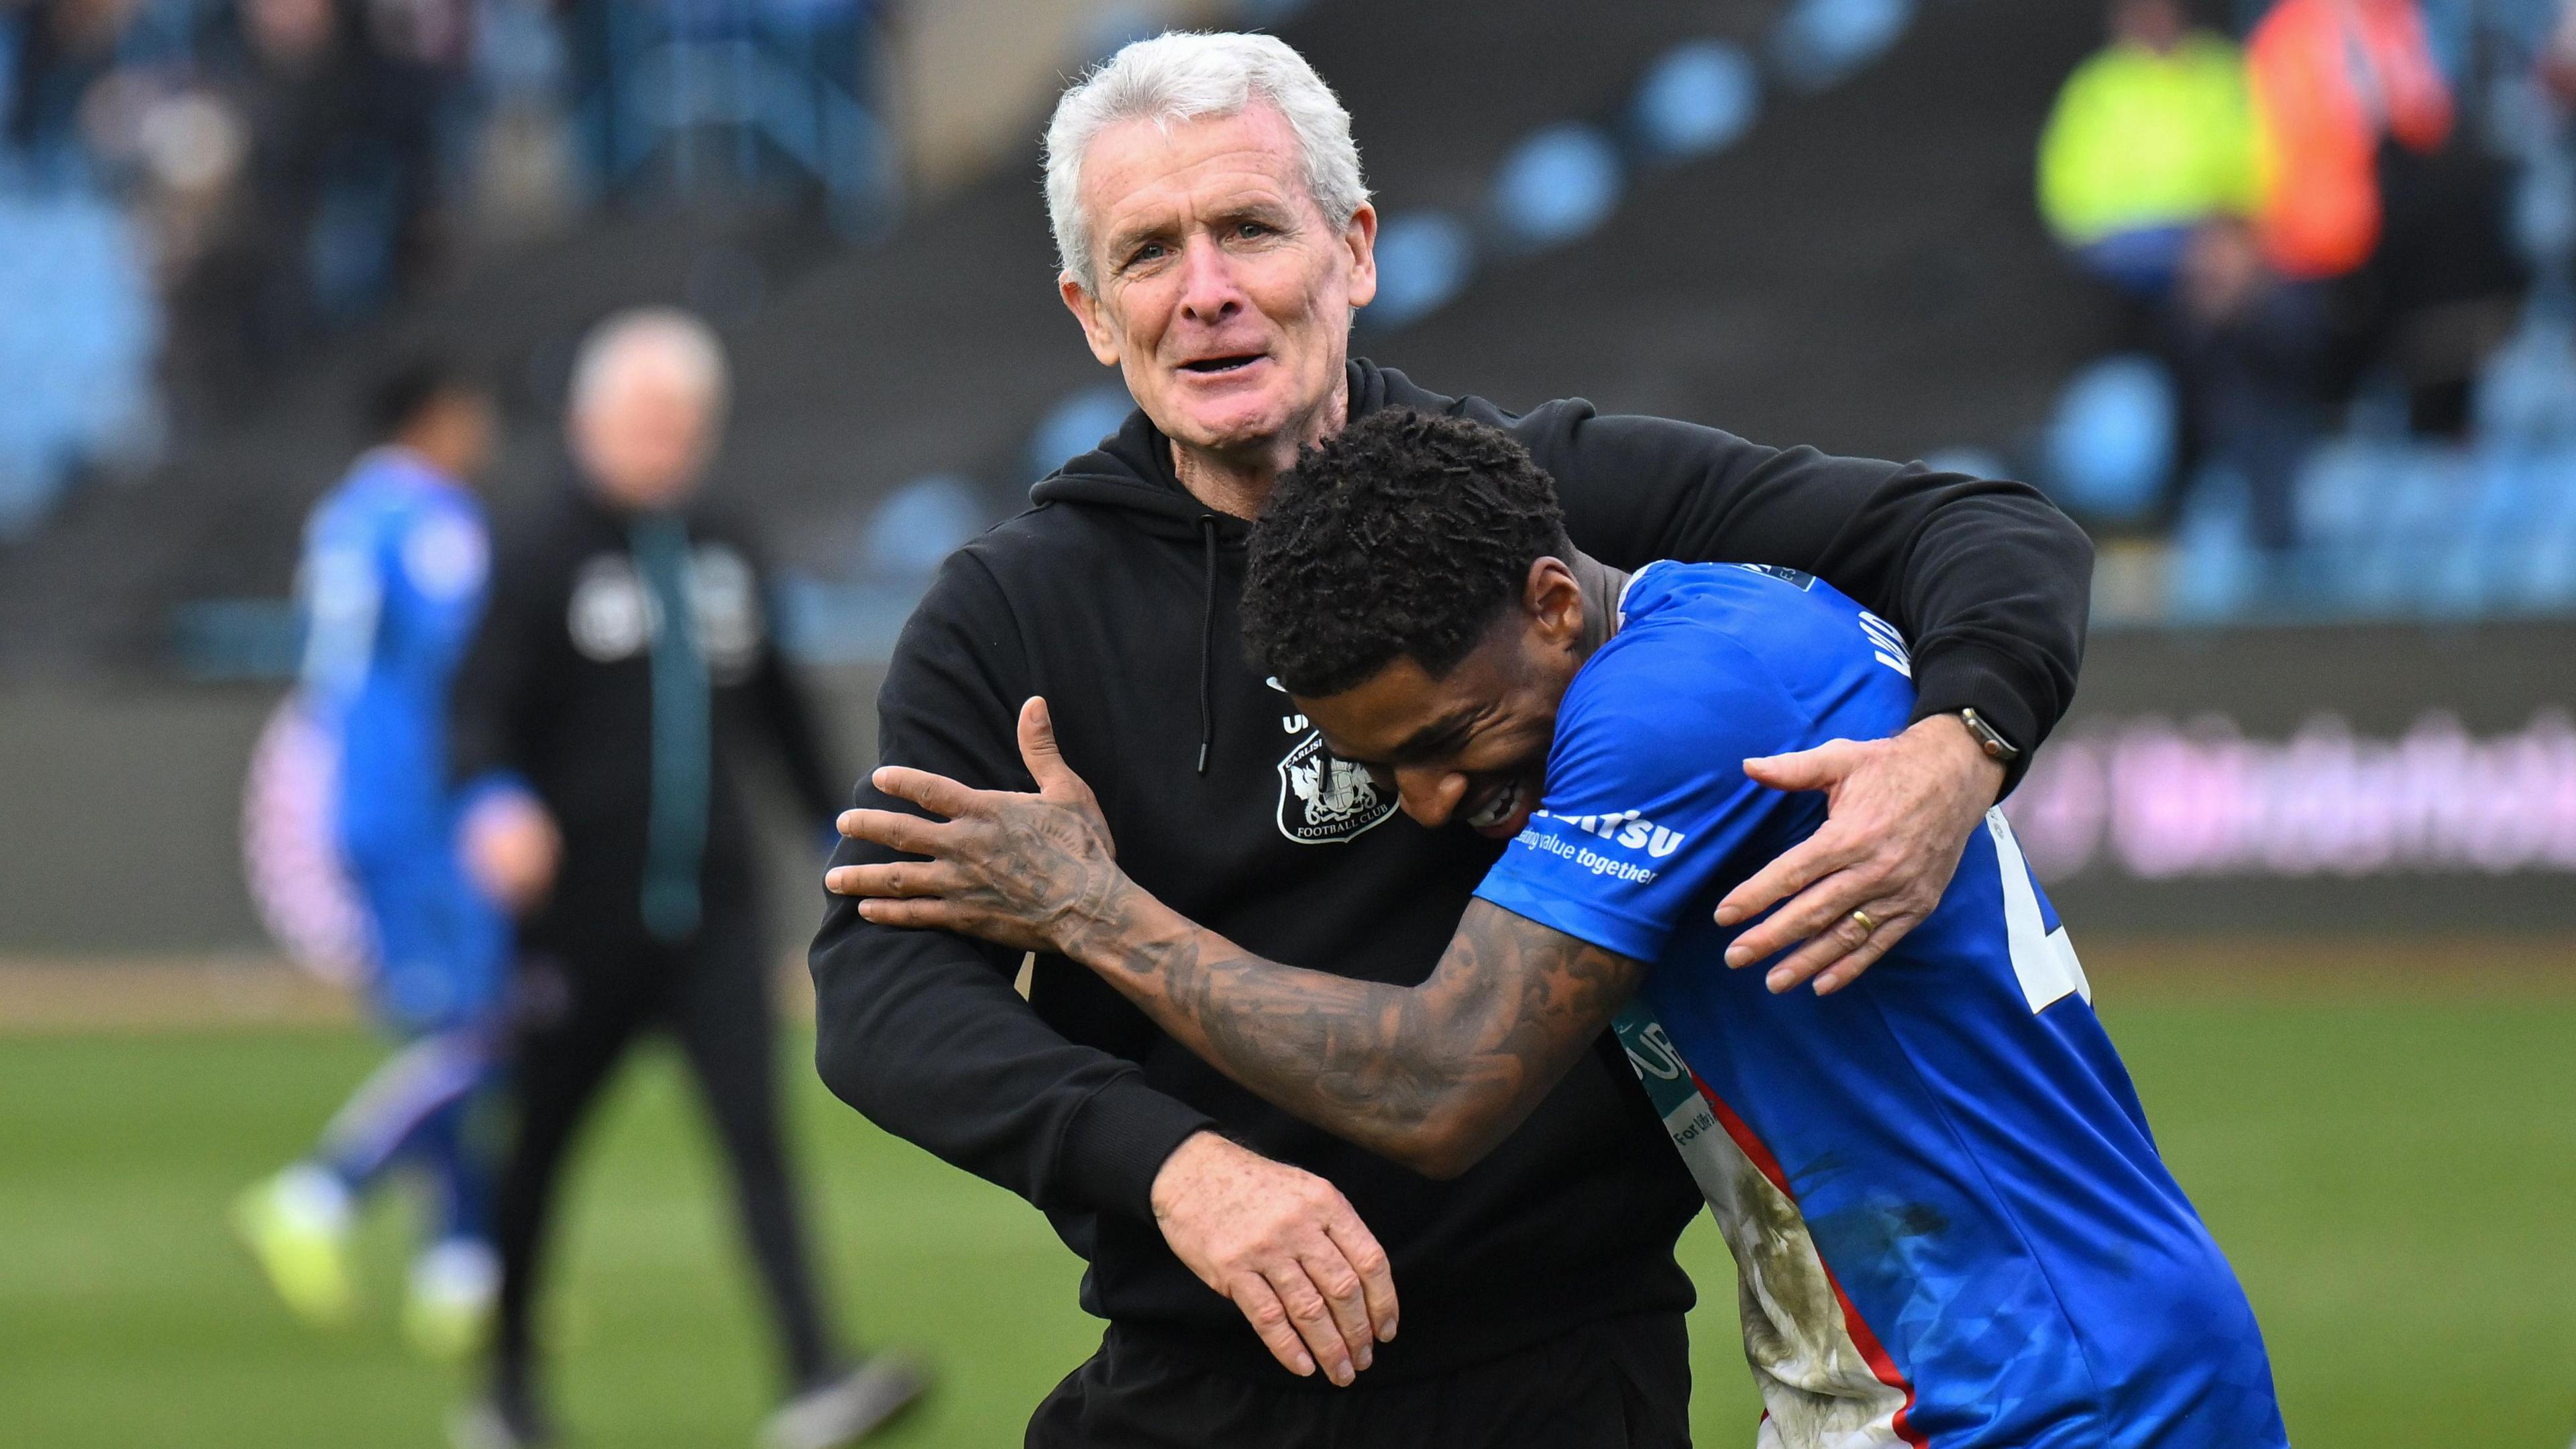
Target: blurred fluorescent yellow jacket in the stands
point(2150, 141)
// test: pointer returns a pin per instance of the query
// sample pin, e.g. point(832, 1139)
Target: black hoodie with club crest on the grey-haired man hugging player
point(1117, 599)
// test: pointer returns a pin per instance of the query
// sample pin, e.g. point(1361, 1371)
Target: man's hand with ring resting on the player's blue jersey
point(1897, 819)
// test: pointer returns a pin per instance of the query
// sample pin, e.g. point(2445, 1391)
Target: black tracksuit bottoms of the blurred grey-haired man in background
point(578, 1012)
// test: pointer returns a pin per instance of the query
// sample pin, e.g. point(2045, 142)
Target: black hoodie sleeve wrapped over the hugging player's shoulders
point(1987, 579)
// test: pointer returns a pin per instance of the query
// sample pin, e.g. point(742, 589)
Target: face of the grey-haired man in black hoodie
point(1225, 298)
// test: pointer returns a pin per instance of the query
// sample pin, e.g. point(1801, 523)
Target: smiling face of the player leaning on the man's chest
point(1470, 746)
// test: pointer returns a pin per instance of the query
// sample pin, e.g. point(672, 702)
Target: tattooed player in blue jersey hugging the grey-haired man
point(1949, 1216)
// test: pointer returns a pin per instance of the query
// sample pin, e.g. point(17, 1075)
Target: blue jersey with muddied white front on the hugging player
point(1949, 1216)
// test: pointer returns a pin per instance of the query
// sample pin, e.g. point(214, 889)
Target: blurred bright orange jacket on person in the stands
point(2335, 81)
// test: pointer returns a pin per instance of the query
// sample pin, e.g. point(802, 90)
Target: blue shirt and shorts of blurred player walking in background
point(395, 579)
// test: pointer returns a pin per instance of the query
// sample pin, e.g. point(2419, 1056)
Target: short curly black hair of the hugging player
point(1403, 535)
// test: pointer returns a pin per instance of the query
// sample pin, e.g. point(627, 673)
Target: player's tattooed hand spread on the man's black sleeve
point(1024, 870)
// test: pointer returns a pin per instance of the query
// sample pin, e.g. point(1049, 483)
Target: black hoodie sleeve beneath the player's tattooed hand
point(921, 1030)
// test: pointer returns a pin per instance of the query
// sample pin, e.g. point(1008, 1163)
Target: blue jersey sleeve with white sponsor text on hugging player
point(1647, 803)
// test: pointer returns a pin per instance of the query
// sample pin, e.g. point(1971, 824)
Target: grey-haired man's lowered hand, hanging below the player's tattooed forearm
point(1287, 1249)
